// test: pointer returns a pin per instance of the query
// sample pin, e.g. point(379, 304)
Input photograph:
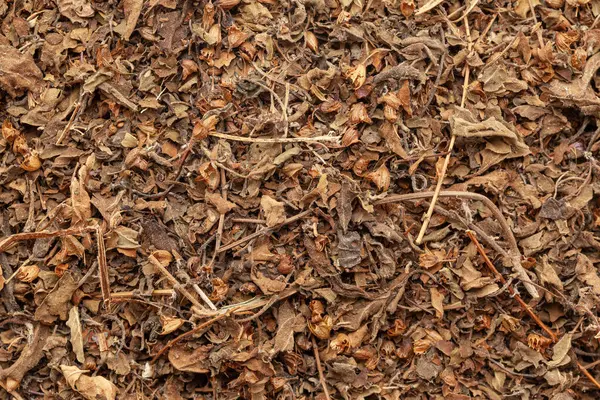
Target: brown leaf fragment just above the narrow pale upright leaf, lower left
point(56, 303)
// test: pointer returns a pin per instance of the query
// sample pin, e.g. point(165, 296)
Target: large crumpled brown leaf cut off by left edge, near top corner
point(18, 72)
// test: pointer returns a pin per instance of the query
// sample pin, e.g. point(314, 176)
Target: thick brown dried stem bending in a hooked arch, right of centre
point(515, 254)
